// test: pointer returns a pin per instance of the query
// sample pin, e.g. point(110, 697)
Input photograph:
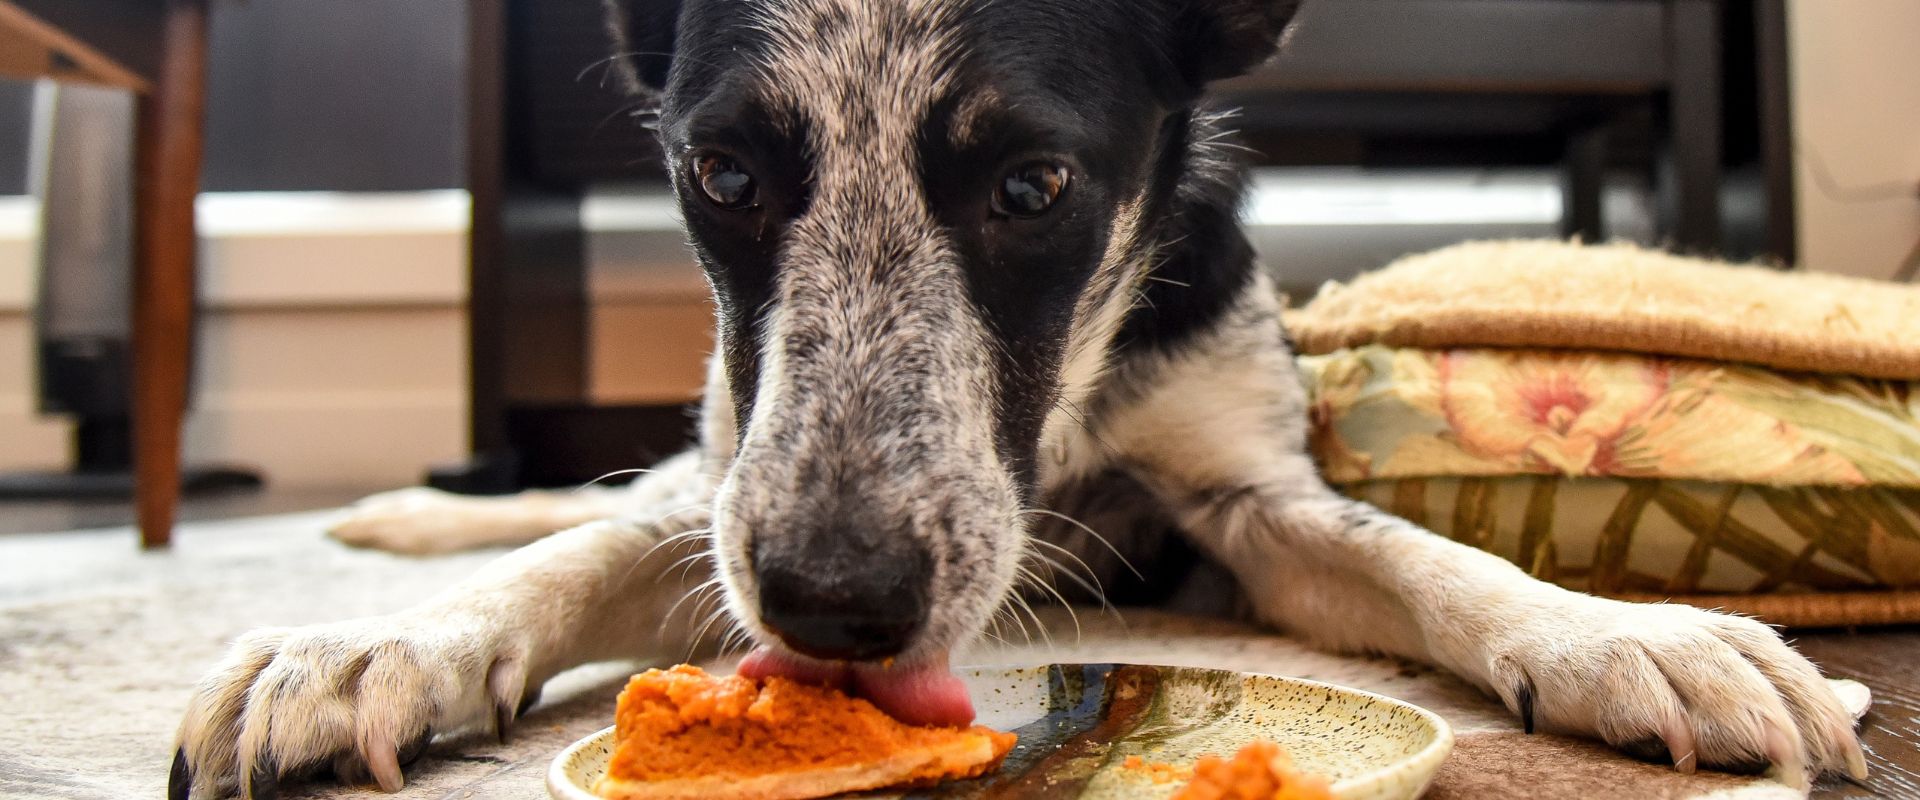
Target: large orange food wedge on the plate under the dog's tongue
point(686, 724)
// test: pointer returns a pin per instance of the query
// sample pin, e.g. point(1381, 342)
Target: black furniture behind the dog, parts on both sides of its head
point(1591, 87)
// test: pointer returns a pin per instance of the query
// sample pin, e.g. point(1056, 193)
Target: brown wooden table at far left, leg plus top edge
point(158, 51)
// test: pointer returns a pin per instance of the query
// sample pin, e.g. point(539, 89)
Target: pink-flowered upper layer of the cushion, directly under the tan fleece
point(1418, 413)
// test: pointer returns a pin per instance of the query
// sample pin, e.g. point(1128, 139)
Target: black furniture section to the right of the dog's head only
point(1591, 85)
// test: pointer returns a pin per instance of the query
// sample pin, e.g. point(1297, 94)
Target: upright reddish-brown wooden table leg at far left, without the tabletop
point(168, 179)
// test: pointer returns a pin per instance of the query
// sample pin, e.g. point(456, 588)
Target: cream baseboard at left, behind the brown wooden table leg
point(333, 346)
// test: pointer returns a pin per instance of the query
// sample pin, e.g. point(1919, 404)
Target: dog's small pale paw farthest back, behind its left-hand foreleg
point(416, 521)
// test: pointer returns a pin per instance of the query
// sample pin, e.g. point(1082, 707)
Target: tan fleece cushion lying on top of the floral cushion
point(1623, 298)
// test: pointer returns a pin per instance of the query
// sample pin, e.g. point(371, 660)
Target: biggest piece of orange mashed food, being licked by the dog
point(684, 734)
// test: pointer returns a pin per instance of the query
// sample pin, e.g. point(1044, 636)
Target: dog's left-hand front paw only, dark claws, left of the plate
point(356, 699)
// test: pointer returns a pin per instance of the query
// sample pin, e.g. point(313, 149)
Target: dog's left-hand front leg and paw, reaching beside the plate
point(366, 695)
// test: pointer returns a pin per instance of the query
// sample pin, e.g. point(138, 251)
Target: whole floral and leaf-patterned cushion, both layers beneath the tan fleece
point(1639, 477)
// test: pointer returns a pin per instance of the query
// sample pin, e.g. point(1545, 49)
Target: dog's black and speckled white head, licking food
point(924, 224)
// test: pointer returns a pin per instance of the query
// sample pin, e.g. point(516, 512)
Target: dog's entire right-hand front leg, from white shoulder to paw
point(1218, 431)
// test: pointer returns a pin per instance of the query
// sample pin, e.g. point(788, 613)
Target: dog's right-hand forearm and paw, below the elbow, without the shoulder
point(1656, 680)
